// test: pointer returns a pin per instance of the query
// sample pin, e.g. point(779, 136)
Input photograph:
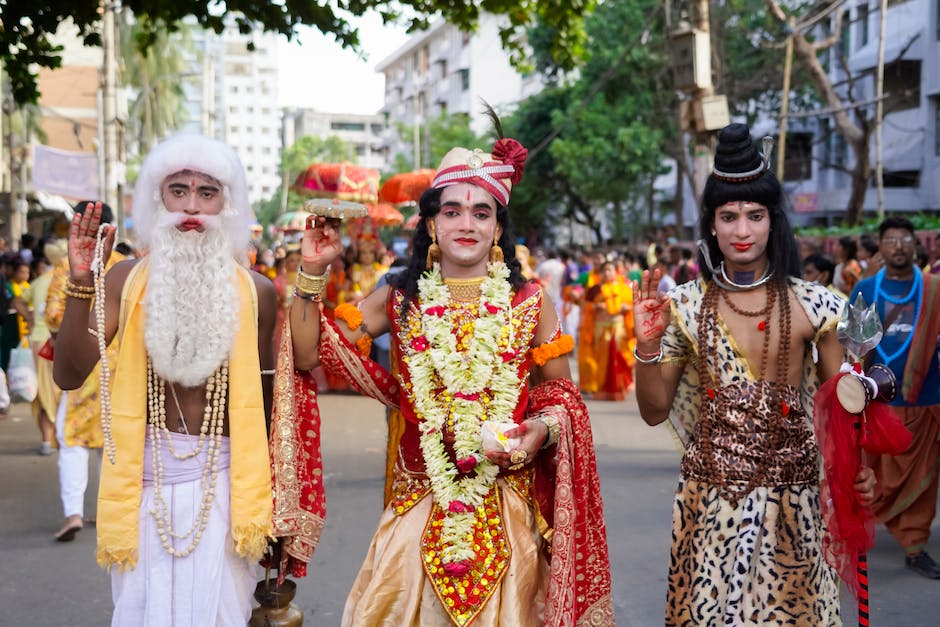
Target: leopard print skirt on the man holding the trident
point(759, 563)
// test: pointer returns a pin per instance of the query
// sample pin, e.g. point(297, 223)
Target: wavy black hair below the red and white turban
point(428, 207)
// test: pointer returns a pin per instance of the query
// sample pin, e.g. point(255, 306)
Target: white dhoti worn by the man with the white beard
point(213, 585)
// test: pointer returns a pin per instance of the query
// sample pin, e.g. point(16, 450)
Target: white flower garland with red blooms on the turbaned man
point(479, 384)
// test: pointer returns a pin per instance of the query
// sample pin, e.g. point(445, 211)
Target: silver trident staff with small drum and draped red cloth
point(850, 416)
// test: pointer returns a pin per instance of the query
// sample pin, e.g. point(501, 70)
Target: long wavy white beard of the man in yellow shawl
point(191, 303)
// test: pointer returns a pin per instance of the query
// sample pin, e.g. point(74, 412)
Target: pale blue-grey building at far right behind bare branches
point(816, 180)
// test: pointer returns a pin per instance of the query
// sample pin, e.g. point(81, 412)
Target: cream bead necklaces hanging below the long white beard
point(210, 436)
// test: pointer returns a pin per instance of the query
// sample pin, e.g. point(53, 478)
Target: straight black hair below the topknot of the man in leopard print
point(782, 252)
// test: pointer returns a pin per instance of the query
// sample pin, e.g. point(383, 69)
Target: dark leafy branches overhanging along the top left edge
point(29, 24)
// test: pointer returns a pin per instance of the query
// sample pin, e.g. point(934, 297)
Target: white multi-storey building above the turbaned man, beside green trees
point(444, 70)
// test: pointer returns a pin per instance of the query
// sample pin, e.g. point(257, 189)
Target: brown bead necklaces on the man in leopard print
point(709, 336)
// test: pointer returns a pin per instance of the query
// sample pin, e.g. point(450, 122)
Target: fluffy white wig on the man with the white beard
point(195, 153)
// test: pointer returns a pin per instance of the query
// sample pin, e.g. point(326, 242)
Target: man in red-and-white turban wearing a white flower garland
point(472, 529)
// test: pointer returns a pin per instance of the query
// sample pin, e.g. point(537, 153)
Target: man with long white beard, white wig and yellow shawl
point(185, 504)
